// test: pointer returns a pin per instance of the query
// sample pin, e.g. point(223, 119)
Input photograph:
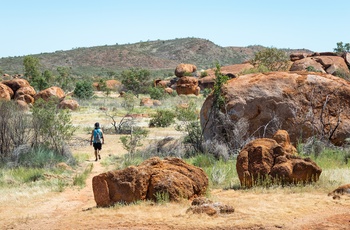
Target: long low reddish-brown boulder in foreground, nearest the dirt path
point(149, 180)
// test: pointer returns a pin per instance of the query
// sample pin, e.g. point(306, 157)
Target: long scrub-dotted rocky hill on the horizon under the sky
point(153, 55)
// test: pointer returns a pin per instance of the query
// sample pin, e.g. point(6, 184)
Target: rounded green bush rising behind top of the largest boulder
point(272, 58)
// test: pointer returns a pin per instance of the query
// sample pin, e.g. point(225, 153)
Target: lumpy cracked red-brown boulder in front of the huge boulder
point(265, 159)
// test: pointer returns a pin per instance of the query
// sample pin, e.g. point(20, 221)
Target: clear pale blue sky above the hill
point(39, 26)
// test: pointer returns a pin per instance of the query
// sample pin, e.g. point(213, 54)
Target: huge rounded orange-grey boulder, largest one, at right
point(304, 104)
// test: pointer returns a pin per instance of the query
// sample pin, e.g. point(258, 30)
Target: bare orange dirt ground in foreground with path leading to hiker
point(75, 209)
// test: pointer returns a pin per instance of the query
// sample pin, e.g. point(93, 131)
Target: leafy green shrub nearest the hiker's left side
point(52, 126)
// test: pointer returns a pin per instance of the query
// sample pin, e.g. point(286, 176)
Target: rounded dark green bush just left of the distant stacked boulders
point(136, 80)
